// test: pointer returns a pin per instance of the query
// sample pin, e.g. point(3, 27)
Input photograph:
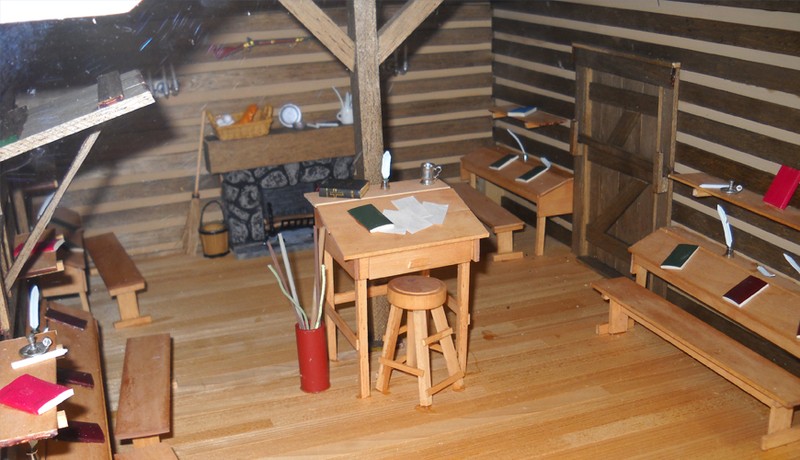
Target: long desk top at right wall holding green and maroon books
point(773, 313)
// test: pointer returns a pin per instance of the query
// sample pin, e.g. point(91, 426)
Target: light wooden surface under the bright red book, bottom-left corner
point(17, 426)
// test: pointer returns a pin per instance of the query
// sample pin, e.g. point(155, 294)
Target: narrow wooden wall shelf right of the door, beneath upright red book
point(744, 199)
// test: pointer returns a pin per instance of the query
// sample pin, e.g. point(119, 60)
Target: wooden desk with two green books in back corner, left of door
point(551, 192)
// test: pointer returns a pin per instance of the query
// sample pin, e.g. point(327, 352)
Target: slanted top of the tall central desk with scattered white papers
point(356, 242)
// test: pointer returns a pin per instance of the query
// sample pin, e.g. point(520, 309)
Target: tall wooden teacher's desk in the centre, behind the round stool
point(371, 256)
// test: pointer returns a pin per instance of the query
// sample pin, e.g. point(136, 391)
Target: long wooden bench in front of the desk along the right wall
point(758, 376)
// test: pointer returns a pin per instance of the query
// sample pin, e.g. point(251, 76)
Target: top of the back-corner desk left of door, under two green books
point(478, 161)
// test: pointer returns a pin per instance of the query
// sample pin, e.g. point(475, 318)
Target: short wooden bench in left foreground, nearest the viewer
point(144, 409)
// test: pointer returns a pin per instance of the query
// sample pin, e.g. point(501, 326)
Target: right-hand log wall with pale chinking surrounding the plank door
point(739, 108)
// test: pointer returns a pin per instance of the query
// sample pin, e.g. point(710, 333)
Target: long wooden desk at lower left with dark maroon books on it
point(87, 405)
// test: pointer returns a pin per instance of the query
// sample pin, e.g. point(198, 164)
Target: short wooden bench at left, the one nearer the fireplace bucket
point(120, 275)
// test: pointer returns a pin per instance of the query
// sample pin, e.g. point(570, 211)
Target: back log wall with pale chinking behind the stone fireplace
point(138, 180)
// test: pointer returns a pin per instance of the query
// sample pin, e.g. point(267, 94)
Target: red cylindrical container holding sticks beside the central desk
point(312, 354)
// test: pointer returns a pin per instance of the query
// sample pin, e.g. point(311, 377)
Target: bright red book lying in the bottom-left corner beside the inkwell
point(33, 395)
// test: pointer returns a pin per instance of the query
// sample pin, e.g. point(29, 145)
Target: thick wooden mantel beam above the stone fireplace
point(278, 147)
